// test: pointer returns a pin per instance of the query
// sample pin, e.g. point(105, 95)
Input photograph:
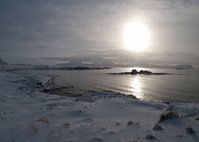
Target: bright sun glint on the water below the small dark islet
point(137, 87)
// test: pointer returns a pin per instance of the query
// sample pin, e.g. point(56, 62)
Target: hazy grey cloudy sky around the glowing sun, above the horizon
point(91, 31)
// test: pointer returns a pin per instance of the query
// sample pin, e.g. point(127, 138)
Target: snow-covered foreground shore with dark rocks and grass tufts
point(29, 115)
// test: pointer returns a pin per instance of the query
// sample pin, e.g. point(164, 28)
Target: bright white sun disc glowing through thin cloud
point(136, 36)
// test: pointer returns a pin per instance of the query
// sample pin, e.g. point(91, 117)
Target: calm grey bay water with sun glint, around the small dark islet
point(182, 86)
